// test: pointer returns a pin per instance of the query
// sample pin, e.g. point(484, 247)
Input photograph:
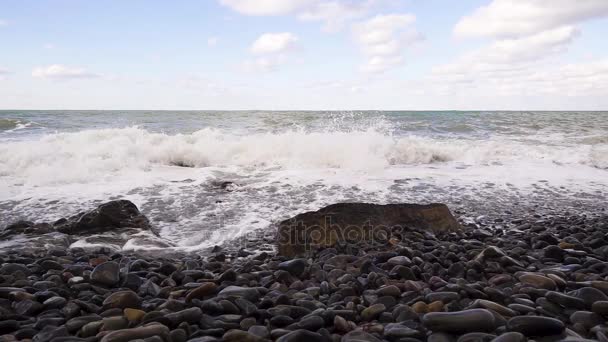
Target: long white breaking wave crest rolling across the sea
point(78, 156)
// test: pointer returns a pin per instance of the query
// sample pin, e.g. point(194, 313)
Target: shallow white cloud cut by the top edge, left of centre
point(267, 7)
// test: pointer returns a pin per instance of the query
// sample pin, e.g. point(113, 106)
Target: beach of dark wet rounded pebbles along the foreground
point(544, 279)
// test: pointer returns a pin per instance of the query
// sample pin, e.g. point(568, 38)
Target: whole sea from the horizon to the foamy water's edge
point(206, 177)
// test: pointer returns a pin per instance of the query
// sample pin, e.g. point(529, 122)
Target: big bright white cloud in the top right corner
point(516, 18)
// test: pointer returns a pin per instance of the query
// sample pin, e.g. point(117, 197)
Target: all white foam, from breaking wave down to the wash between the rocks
point(279, 173)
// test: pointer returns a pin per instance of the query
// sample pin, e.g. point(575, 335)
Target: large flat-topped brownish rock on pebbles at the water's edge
point(355, 222)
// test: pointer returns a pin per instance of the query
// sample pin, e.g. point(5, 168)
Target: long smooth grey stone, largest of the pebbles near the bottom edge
point(460, 322)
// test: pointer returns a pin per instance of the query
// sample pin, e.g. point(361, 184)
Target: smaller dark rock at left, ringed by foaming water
point(108, 216)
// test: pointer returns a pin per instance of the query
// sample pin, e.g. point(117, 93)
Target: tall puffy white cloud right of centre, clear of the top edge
point(383, 40)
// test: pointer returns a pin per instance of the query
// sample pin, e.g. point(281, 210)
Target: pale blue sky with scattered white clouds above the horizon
point(304, 54)
